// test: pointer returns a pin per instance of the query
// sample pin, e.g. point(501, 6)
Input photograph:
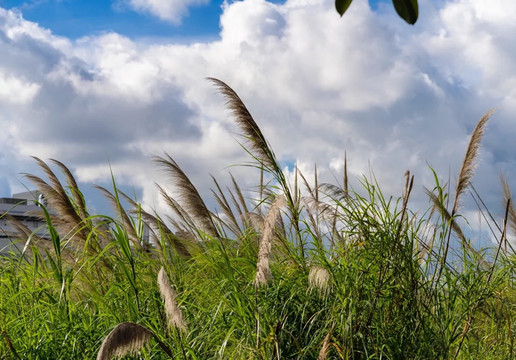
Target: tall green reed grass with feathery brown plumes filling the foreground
point(289, 271)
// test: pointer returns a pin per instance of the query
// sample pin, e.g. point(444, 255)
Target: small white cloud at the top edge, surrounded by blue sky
point(168, 10)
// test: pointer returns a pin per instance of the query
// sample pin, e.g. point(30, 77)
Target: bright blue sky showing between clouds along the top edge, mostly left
point(78, 18)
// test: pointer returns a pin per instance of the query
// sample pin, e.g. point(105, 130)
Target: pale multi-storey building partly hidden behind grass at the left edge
point(23, 207)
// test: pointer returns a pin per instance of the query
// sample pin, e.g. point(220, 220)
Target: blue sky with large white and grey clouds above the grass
point(107, 84)
